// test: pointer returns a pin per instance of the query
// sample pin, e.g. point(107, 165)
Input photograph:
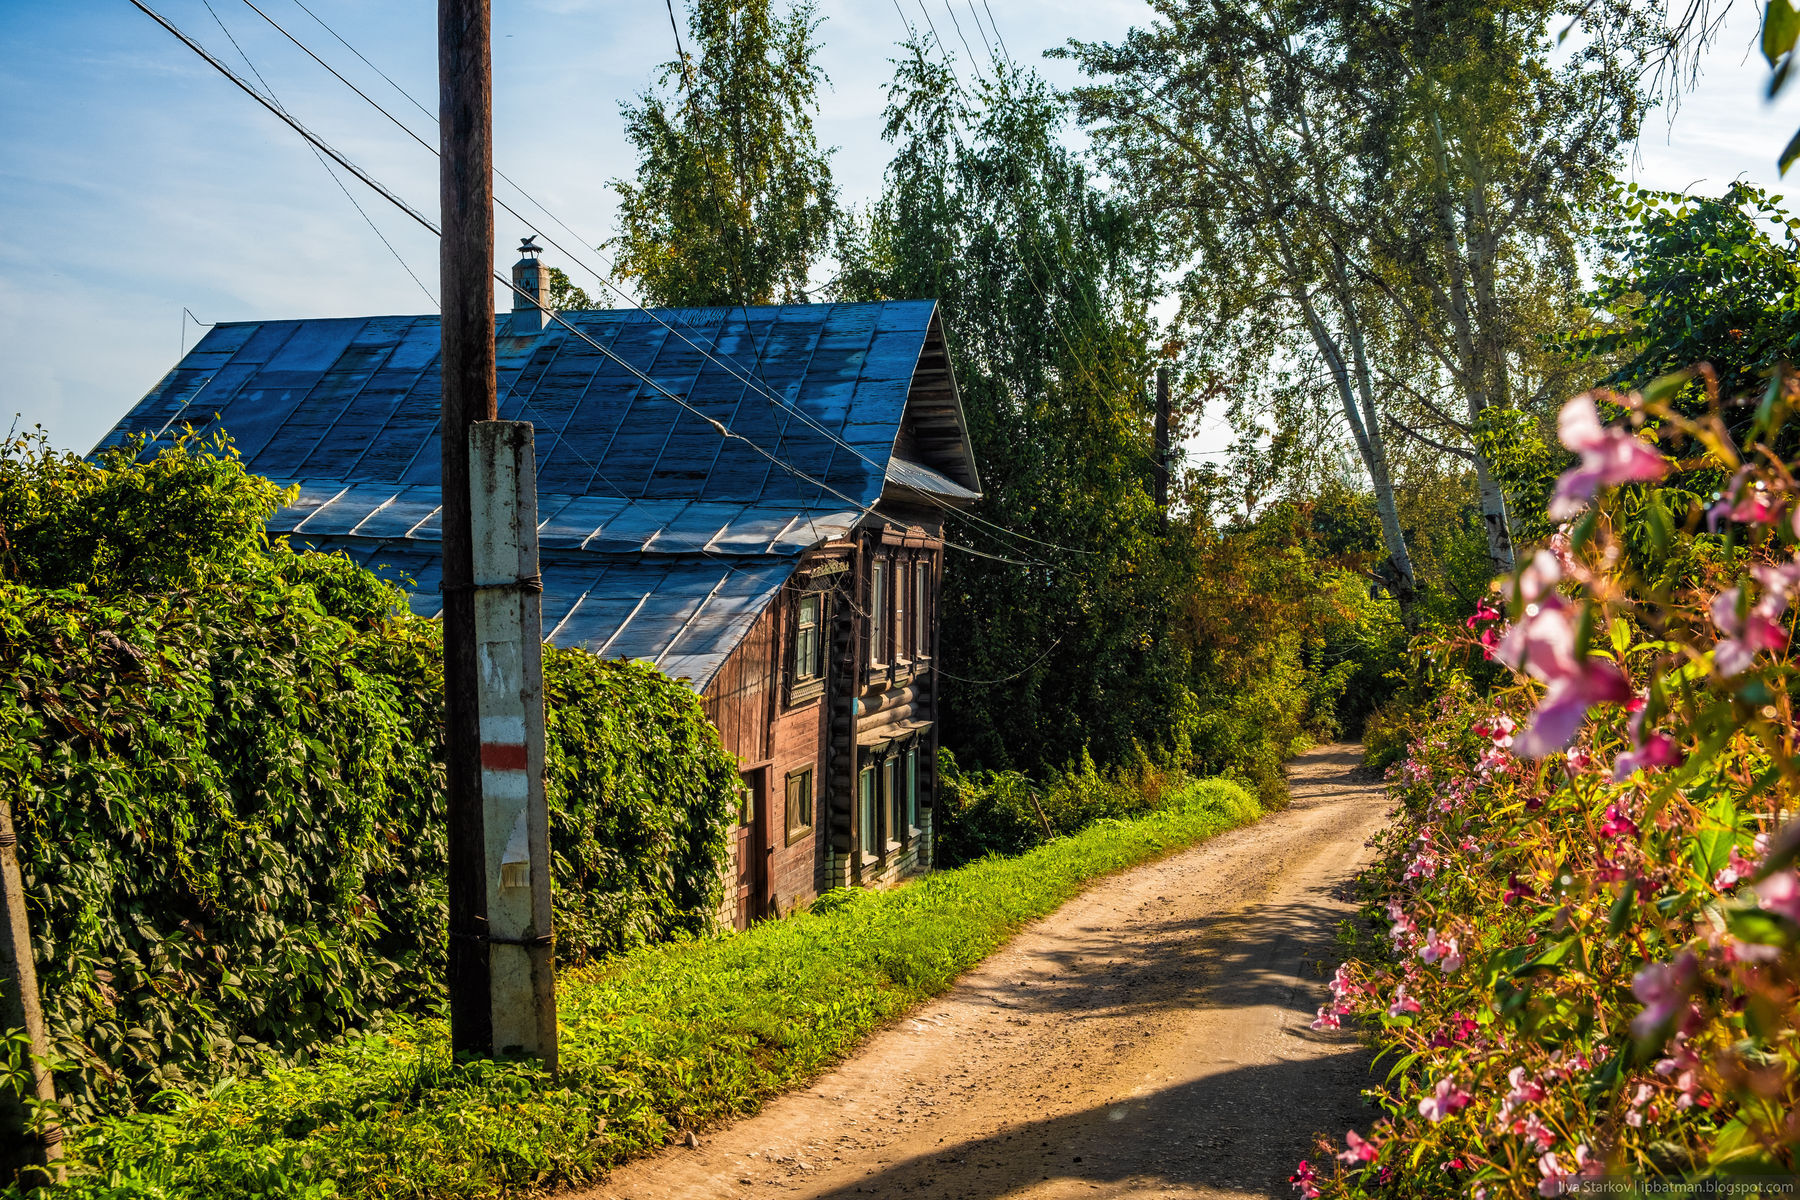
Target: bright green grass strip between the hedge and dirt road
point(660, 1041)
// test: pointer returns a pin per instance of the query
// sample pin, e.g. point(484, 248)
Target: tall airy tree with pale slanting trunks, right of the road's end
point(1385, 190)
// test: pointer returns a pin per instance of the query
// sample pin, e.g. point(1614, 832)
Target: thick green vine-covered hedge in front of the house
point(224, 762)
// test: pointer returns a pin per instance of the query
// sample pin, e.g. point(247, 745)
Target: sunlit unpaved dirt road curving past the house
point(1149, 1039)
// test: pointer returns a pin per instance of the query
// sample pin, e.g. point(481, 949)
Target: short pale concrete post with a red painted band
point(510, 656)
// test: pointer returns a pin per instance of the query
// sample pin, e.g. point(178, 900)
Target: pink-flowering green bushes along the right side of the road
point(1588, 890)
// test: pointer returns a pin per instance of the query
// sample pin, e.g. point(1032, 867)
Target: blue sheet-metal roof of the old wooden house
point(660, 537)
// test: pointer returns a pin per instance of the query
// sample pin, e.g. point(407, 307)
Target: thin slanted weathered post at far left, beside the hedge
point(26, 1158)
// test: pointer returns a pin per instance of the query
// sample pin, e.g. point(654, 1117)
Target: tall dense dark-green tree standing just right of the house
point(1045, 283)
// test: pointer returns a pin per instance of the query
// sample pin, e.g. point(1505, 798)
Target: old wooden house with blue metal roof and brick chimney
point(775, 541)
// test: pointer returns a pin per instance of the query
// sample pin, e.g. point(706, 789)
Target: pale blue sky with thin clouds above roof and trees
point(138, 183)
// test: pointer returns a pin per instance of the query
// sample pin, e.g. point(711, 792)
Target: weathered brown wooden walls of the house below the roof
point(840, 775)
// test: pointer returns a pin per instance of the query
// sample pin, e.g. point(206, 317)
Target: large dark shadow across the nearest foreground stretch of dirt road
point(1241, 1131)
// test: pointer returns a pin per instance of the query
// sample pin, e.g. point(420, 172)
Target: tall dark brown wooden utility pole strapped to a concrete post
point(465, 96)
